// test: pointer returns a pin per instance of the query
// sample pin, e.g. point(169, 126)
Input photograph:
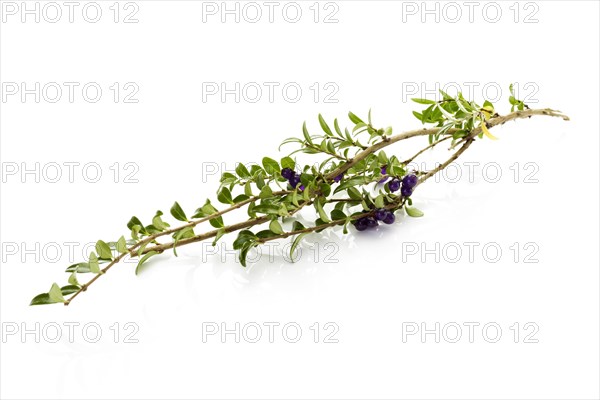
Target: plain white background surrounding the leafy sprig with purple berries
point(370, 285)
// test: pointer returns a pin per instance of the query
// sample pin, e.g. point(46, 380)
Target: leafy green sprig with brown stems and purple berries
point(353, 184)
